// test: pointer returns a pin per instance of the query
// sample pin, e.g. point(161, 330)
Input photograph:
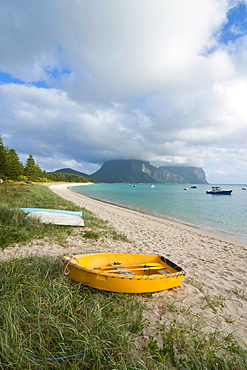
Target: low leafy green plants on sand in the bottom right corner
point(188, 344)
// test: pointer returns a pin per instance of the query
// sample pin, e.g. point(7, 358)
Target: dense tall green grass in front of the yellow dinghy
point(44, 313)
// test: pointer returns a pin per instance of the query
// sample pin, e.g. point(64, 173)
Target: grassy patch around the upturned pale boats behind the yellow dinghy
point(16, 228)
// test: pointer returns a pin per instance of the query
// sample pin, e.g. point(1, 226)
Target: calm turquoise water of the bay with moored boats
point(223, 214)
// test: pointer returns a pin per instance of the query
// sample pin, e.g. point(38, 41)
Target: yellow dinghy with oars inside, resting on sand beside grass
point(124, 272)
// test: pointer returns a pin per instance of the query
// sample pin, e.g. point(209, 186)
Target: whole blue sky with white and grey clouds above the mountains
point(87, 81)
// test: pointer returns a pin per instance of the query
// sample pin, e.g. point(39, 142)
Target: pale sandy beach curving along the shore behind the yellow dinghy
point(215, 284)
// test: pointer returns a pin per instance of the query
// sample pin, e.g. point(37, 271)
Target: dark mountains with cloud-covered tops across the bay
point(136, 171)
